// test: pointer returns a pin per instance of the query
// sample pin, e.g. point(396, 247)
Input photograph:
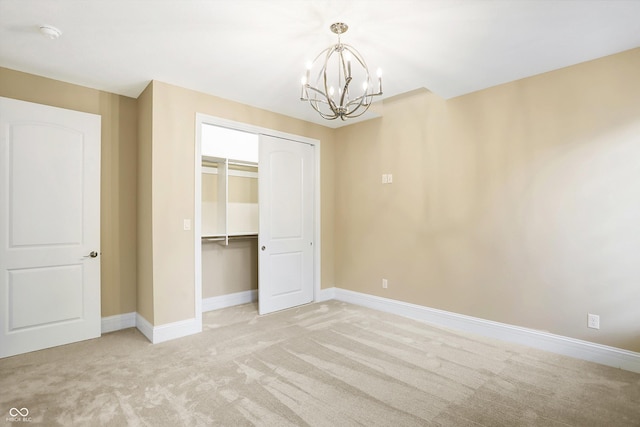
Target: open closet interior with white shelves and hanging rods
point(230, 215)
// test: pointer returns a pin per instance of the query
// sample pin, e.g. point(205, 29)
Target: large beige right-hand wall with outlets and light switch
point(518, 204)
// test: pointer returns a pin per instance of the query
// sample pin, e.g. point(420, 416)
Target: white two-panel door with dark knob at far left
point(49, 226)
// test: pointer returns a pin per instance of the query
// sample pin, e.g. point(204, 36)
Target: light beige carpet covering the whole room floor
point(325, 364)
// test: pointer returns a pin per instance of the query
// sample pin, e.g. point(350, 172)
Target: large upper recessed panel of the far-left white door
point(35, 177)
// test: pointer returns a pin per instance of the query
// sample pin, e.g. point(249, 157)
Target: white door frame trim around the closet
point(230, 124)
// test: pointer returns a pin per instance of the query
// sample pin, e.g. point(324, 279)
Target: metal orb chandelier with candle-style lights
point(342, 84)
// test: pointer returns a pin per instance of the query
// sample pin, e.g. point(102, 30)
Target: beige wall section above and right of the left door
point(118, 175)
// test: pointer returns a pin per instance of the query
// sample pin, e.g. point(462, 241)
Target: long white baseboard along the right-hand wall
point(605, 355)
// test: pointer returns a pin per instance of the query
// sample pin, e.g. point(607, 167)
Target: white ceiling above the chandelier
point(255, 51)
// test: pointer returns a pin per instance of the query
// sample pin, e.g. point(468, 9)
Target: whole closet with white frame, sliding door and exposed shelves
point(251, 199)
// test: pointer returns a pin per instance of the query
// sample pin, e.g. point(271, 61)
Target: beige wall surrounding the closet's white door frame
point(172, 151)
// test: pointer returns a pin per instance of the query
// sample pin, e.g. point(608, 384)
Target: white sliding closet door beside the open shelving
point(285, 245)
